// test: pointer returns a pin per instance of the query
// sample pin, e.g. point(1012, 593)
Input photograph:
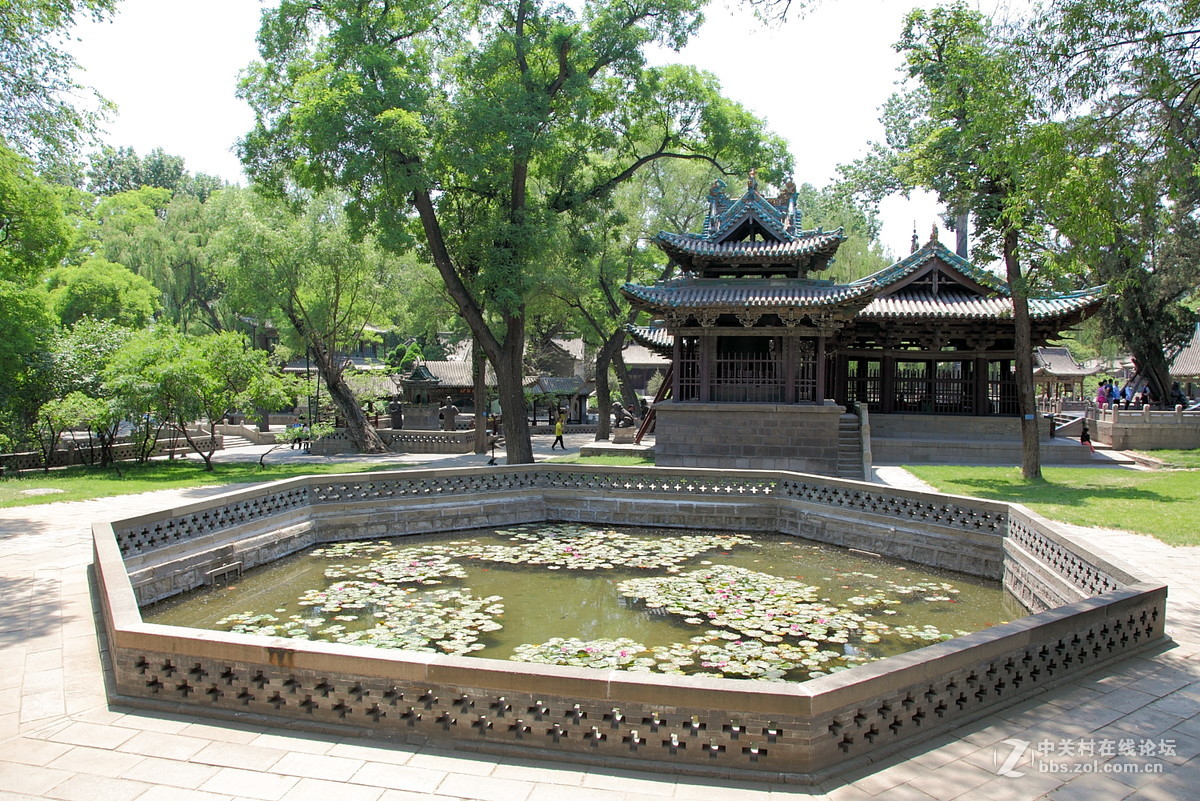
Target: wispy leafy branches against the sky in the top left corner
point(37, 82)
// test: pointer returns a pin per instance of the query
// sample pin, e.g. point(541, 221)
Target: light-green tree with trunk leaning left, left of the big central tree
point(319, 285)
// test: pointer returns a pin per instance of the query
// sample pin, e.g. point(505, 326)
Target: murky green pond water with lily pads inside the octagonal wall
point(763, 607)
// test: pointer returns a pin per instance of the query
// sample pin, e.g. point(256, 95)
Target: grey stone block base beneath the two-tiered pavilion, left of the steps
point(748, 437)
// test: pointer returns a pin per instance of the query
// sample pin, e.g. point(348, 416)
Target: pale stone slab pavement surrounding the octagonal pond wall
point(62, 739)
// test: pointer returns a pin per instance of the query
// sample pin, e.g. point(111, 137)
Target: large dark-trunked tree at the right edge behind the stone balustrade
point(1125, 75)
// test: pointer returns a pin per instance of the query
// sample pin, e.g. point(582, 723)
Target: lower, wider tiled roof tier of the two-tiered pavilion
point(737, 294)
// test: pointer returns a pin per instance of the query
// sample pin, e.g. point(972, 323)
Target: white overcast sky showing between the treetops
point(171, 67)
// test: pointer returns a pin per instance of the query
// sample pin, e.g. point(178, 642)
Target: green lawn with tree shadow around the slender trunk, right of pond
point(1163, 504)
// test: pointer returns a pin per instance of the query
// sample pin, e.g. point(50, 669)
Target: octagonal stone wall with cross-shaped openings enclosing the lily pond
point(775, 731)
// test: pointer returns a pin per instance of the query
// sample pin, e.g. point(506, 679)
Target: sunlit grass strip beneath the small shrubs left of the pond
point(85, 484)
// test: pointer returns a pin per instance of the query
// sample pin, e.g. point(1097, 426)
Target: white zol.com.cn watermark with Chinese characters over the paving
point(1082, 756)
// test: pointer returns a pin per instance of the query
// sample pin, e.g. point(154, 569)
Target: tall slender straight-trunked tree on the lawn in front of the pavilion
point(969, 131)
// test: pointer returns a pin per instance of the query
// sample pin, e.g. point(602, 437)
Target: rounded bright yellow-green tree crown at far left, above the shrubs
point(103, 291)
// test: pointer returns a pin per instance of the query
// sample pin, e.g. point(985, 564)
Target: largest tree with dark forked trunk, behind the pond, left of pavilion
point(472, 129)
